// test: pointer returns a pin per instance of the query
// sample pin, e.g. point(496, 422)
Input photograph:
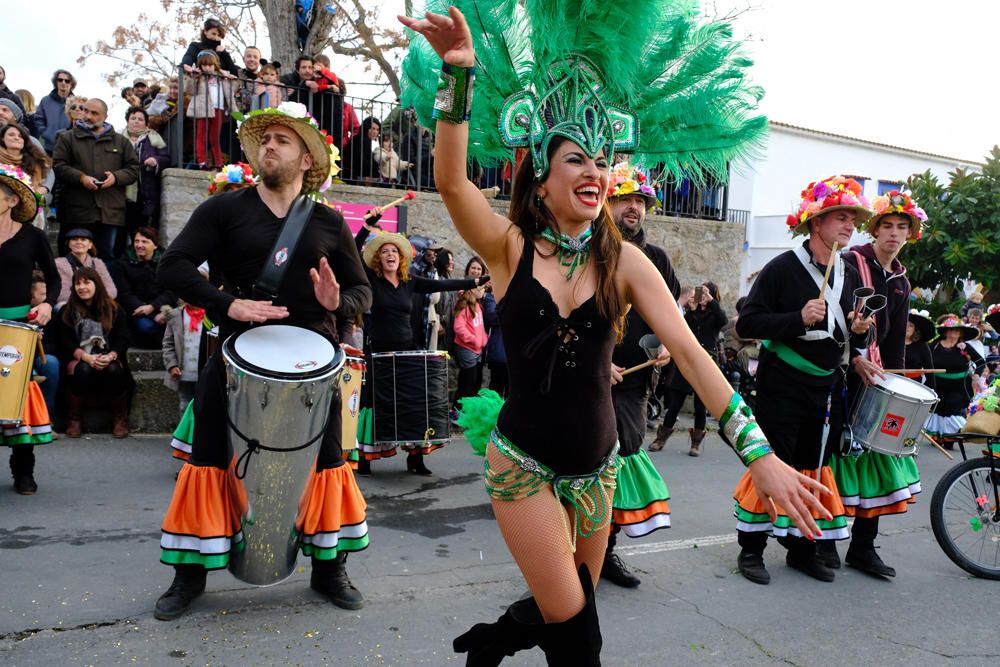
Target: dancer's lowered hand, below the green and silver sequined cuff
point(779, 484)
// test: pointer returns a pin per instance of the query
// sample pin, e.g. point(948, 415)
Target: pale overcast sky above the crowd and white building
point(911, 73)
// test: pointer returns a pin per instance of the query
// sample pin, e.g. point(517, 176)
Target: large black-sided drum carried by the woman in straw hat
point(410, 397)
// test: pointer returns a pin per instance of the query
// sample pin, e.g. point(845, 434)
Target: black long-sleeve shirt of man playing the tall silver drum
point(235, 232)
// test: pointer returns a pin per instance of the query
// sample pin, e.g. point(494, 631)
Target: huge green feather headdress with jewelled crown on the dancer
point(646, 78)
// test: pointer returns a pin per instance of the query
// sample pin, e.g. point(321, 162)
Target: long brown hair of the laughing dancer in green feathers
point(606, 246)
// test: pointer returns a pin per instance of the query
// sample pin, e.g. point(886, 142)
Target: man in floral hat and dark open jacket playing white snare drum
point(873, 484)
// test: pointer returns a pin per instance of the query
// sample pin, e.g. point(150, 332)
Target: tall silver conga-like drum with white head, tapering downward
point(281, 383)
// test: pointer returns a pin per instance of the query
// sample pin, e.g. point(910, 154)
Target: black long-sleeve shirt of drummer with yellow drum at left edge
point(19, 255)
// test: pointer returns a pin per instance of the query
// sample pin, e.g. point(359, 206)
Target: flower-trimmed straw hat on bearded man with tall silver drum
point(294, 116)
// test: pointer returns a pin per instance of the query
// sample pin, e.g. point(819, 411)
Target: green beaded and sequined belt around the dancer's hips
point(585, 493)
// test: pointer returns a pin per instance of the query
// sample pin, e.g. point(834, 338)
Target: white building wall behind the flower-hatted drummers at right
point(770, 187)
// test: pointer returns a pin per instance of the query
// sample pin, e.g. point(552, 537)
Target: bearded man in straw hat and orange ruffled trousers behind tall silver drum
point(324, 279)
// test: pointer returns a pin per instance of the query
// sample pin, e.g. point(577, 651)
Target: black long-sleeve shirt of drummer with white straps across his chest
point(773, 311)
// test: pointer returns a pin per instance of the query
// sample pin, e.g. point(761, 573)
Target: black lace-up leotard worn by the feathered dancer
point(559, 409)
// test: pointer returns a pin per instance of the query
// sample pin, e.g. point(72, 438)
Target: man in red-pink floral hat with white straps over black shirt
point(807, 343)
